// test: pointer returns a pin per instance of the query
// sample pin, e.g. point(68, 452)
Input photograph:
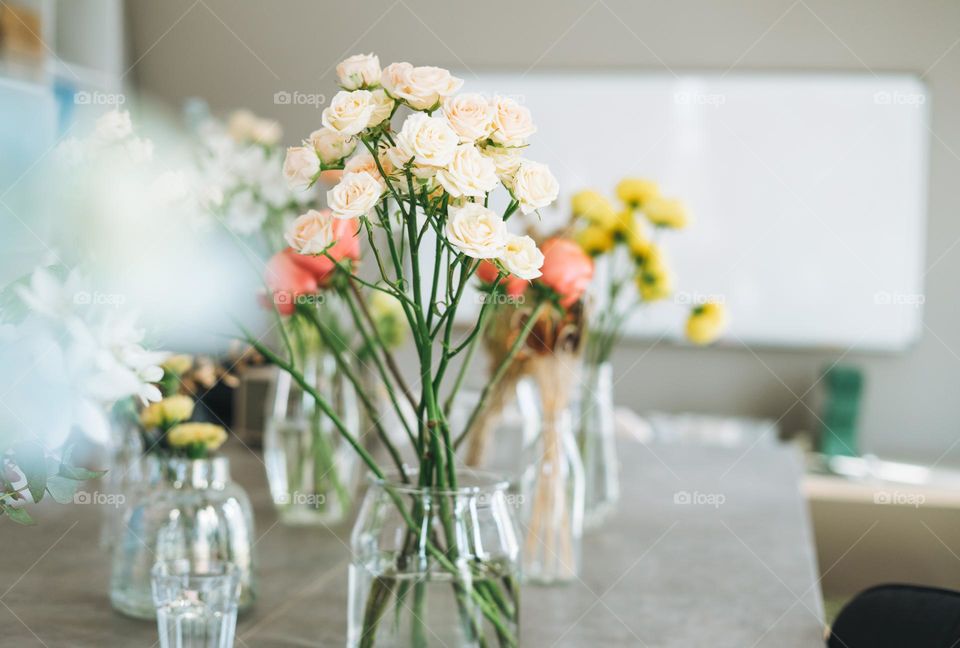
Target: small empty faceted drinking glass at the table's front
point(196, 603)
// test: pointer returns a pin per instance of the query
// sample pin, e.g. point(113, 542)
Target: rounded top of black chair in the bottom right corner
point(899, 616)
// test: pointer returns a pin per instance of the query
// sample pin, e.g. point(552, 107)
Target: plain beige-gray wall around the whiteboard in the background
point(240, 53)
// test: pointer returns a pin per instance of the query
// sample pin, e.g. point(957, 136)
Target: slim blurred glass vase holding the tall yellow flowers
point(596, 440)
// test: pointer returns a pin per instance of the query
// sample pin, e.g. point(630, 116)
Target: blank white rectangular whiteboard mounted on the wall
point(807, 192)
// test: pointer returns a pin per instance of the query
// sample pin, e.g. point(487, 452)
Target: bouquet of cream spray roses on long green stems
point(424, 186)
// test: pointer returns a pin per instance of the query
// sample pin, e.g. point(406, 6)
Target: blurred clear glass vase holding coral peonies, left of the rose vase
point(312, 472)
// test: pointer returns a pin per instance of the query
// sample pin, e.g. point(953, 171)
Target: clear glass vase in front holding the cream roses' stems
point(435, 567)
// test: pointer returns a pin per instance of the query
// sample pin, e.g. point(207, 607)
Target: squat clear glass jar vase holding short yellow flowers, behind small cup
point(193, 512)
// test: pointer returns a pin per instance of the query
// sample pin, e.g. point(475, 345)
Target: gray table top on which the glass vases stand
point(734, 567)
